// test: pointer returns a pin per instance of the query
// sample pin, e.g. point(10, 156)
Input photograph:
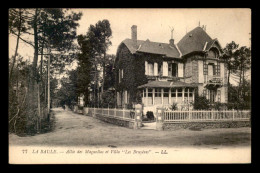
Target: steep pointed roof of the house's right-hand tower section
point(194, 40)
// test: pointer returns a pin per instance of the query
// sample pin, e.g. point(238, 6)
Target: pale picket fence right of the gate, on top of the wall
point(204, 115)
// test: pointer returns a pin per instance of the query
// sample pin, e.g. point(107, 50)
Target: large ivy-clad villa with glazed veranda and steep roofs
point(162, 74)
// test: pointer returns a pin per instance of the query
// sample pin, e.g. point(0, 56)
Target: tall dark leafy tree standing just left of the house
point(92, 57)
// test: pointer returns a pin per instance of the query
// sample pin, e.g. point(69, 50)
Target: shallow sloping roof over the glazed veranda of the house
point(166, 84)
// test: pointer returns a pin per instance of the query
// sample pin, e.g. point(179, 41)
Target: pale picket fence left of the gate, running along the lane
point(117, 113)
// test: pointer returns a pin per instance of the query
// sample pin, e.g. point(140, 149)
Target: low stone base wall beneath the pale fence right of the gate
point(206, 125)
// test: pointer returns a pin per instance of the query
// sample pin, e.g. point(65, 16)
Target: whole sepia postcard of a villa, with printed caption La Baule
point(129, 86)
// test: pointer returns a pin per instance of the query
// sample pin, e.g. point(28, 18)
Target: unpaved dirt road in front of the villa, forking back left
point(78, 130)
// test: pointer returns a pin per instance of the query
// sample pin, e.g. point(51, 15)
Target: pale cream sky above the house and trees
point(155, 24)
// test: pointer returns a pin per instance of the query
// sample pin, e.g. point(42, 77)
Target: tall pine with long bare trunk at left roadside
point(52, 30)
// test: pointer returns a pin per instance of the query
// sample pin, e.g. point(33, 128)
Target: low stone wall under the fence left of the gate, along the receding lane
point(116, 121)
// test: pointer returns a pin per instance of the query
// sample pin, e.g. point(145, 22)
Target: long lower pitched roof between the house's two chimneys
point(152, 47)
